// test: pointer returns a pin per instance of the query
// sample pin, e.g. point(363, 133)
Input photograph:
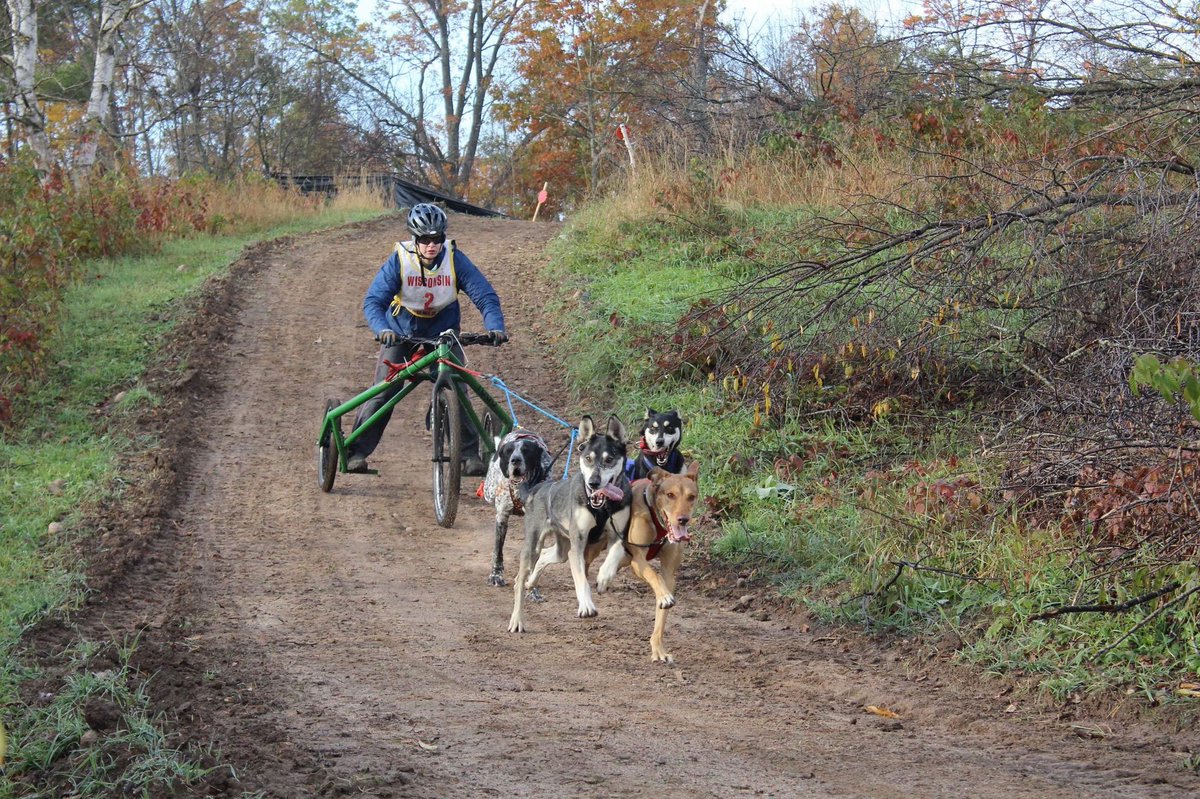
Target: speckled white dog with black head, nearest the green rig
point(523, 460)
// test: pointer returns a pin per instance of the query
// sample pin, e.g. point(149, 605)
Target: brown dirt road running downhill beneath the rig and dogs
point(343, 644)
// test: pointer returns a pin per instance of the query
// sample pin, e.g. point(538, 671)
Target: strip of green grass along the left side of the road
point(59, 460)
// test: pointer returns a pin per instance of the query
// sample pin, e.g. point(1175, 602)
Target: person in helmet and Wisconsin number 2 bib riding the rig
point(416, 295)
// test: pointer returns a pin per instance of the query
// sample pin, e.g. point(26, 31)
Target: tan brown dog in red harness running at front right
point(658, 528)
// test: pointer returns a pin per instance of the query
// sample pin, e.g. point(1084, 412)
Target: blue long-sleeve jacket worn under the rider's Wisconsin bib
point(376, 305)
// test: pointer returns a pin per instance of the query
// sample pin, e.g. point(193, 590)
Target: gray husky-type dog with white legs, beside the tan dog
point(578, 516)
